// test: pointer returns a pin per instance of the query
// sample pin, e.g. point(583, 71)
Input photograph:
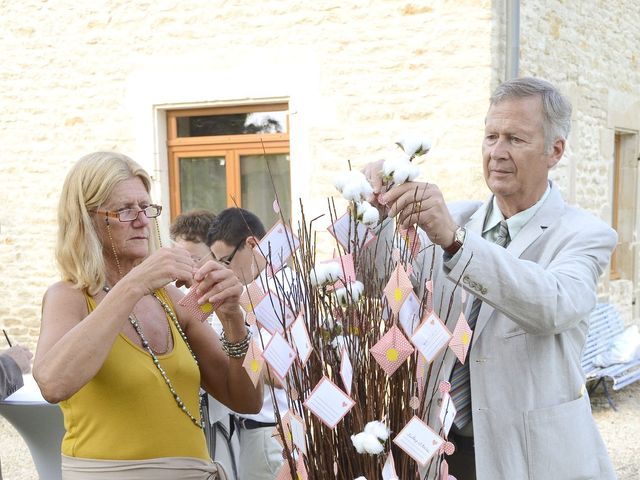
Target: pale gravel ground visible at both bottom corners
point(620, 430)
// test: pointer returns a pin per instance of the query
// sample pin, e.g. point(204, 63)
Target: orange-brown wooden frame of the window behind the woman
point(232, 147)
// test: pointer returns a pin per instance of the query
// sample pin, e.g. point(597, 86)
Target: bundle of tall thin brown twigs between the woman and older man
point(353, 323)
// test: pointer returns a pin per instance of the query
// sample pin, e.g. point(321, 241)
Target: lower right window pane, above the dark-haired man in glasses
point(257, 189)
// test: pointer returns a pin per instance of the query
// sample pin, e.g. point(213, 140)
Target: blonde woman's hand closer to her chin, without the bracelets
point(163, 266)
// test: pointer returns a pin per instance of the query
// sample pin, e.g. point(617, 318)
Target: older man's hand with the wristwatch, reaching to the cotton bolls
point(421, 203)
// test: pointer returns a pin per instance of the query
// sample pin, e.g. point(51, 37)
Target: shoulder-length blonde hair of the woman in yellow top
point(88, 185)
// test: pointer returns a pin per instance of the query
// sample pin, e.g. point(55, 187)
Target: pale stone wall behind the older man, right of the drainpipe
point(590, 49)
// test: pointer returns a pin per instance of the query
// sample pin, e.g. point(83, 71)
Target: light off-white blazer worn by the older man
point(531, 412)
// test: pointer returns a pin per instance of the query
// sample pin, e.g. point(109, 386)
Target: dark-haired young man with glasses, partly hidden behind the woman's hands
point(232, 238)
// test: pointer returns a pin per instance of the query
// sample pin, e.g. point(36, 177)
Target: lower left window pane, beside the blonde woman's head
point(203, 183)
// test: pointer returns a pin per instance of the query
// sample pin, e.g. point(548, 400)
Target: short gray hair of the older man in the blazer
point(556, 108)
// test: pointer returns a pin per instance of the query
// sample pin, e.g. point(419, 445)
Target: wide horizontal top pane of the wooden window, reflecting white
point(232, 124)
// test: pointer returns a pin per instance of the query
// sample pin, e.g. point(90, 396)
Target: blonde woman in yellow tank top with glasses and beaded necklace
point(116, 350)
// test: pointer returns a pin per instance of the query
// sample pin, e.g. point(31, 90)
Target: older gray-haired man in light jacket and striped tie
point(529, 415)
